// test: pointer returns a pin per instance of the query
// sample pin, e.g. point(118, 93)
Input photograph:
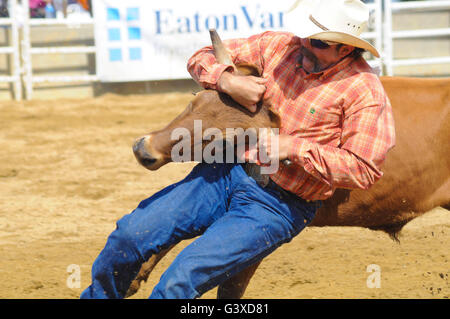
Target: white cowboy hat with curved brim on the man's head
point(340, 21)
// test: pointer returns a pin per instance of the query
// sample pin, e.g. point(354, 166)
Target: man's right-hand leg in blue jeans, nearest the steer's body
point(258, 221)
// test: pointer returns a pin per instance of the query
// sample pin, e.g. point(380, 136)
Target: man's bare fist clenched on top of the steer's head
point(245, 90)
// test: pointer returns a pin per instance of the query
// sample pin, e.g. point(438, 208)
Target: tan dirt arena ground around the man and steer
point(67, 174)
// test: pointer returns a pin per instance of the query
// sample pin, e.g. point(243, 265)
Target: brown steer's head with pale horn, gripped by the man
point(214, 109)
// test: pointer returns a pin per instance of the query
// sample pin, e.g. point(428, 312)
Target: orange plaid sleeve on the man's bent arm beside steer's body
point(367, 135)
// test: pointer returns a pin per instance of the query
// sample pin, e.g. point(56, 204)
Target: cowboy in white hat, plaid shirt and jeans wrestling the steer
point(336, 128)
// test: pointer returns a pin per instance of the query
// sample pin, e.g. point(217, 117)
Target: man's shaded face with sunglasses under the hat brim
point(319, 59)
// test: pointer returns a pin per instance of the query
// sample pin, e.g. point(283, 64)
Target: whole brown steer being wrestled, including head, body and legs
point(416, 172)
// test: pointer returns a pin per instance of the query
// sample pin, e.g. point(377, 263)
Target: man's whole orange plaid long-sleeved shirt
point(341, 117)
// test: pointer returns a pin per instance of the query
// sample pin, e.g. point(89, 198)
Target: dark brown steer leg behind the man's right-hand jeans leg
point(234, 287)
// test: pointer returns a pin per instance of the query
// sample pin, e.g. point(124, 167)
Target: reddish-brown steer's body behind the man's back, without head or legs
point(417, 170)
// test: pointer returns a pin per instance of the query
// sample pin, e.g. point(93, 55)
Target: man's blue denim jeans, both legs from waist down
point(240, 222)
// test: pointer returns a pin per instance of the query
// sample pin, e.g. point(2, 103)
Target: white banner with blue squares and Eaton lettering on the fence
point(139, 40)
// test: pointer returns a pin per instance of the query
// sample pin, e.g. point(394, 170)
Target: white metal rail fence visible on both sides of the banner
point(380, 33)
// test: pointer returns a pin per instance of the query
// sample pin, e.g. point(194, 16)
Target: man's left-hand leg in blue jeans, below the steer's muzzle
point(180, 211)
